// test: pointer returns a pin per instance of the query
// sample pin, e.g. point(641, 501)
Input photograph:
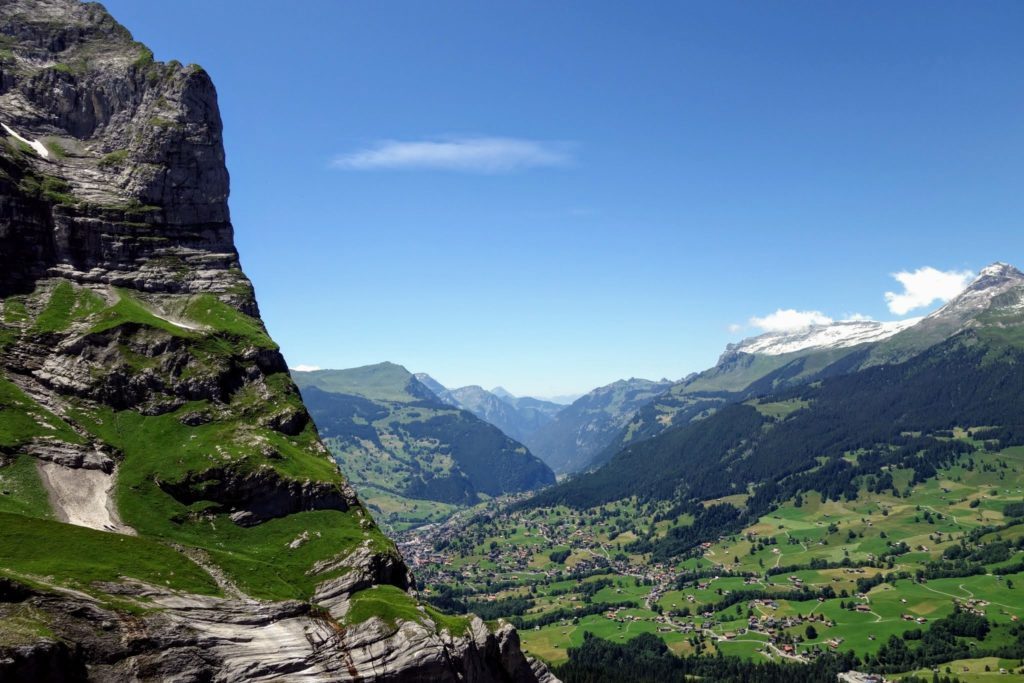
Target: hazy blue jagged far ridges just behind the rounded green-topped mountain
point(521, 418)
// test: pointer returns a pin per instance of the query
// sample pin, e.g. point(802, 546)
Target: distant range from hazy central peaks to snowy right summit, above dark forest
point(589, 433)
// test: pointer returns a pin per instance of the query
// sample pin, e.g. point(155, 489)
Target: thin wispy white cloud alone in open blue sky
point(474, 155)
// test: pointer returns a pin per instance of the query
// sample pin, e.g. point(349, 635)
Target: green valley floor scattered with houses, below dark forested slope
point(813, 577)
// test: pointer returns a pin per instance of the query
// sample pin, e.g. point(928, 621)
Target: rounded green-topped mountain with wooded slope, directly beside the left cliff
point(396, 439)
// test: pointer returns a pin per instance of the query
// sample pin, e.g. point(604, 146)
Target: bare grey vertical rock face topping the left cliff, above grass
point(135, 157)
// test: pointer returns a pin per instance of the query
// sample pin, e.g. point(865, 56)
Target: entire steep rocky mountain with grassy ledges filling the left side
point(167, 508)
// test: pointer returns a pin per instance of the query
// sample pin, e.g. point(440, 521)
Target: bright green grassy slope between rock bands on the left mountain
point(172, 454)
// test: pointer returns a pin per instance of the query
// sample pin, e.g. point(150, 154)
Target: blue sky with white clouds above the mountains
point(554, 196)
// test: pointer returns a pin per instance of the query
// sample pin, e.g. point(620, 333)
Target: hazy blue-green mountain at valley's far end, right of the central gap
point(582, 431)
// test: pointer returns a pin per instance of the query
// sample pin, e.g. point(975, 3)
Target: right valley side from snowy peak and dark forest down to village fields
point(877, 530)
